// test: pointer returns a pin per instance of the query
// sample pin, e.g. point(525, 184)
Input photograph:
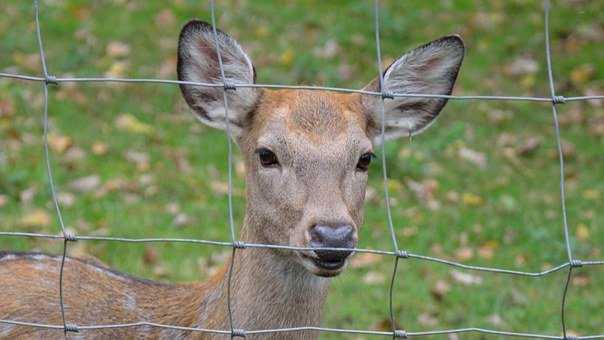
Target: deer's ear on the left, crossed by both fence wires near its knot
point(198, 62)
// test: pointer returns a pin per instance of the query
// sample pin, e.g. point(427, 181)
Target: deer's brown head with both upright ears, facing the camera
point(307, 153)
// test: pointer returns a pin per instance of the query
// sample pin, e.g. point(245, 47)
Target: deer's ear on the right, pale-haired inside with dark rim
point(428, 69)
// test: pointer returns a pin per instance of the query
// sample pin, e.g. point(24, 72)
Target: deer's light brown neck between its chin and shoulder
point(268, 290)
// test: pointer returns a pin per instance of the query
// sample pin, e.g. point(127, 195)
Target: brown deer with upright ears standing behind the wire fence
point(307, 155)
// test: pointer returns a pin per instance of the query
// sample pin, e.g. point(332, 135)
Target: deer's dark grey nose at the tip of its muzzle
point(322, 236)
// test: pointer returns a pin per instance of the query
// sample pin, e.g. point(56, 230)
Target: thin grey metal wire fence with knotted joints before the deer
point(48, 79)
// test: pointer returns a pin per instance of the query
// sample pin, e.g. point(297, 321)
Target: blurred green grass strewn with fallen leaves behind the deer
point(479, 187)
